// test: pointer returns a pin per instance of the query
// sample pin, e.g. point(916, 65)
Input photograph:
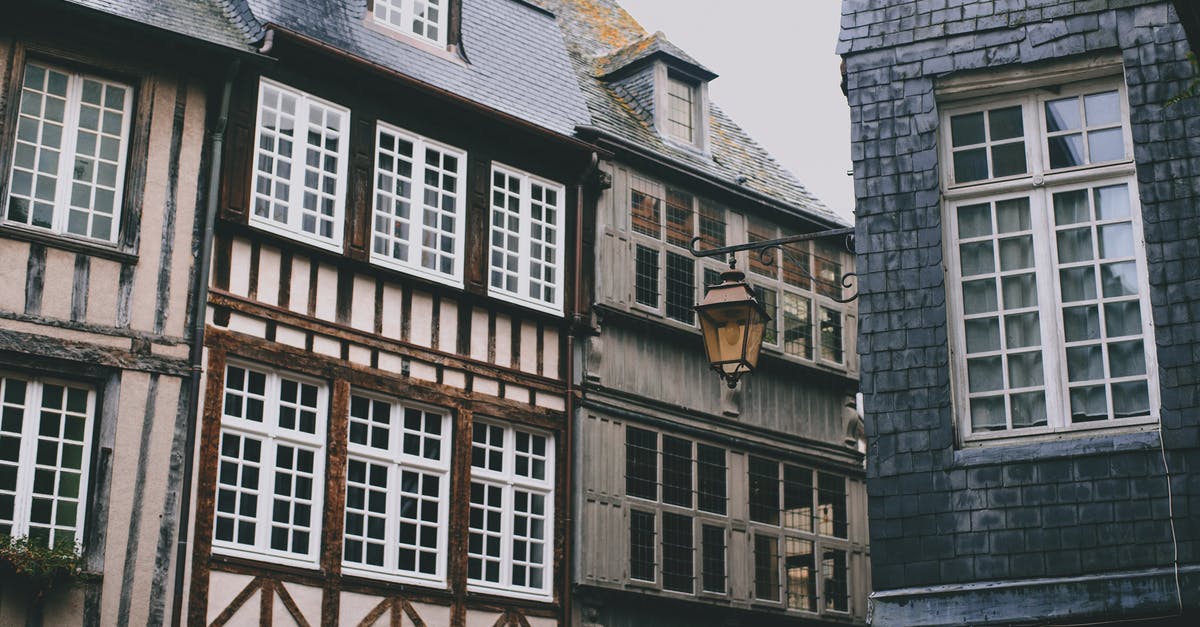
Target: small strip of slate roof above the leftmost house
point(205, 20)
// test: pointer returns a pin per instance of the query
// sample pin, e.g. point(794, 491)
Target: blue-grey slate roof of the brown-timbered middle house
point(518, 61)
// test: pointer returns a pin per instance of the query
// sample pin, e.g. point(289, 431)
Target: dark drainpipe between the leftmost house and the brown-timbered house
point(196, 355)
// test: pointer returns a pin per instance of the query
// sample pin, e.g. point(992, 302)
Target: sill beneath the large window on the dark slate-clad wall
point(1064, 445)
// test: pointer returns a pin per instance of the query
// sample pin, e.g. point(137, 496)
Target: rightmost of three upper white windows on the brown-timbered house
point(527, 240)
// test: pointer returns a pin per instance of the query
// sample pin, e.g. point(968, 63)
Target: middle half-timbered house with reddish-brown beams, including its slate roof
point(383, 437)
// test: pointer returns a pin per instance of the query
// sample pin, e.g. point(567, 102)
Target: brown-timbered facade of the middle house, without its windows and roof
point(356, 327)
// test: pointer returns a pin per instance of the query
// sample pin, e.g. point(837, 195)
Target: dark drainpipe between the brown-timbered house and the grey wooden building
point(573, 470)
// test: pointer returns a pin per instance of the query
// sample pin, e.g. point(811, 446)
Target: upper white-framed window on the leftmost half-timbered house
point(70, 151)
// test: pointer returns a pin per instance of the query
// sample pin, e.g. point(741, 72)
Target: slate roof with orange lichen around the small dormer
point(596, 31)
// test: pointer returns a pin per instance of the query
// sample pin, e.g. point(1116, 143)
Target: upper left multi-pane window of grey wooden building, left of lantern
point(667, 220)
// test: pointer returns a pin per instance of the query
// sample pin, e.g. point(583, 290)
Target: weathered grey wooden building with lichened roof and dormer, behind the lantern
point(695, 505)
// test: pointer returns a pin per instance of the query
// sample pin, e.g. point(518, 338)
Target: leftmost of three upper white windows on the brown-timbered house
point(302, 146)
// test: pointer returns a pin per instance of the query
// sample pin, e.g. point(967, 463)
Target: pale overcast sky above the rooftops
point(779, 79)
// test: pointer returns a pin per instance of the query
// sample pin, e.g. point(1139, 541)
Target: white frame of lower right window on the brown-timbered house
point(507, 480)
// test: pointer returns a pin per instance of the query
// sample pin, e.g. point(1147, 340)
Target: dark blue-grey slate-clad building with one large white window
point(1029, 296)
